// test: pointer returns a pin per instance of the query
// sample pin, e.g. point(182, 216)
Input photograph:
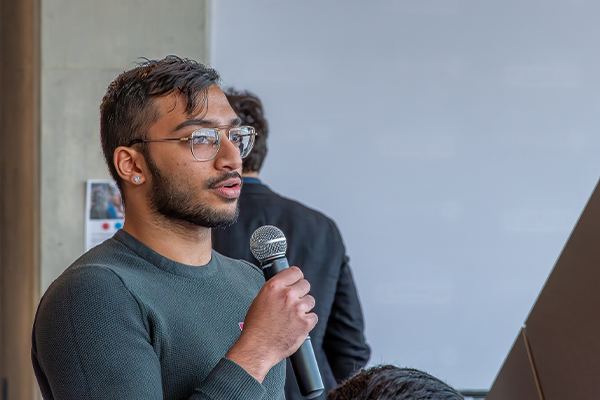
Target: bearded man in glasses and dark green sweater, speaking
point(154, 313)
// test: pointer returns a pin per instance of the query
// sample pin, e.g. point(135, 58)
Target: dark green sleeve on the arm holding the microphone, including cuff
point(91, 340)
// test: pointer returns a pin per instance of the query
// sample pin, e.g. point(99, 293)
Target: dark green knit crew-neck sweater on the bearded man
point(124, 322)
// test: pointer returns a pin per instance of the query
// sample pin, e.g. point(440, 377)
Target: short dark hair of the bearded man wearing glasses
point(128, 109)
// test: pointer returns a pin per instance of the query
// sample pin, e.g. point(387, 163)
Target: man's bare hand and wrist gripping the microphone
point(276, 324)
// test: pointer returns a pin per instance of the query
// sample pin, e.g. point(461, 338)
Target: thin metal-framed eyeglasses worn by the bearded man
point(205, 142)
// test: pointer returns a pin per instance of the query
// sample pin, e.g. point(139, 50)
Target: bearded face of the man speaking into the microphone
point(202, 193)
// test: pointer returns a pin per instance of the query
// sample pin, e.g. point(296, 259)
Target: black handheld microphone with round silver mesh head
point(268, 245)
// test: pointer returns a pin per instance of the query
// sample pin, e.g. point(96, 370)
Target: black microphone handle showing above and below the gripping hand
point(304, 362)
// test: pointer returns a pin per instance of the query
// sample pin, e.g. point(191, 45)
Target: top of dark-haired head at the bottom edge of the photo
point(388, 382)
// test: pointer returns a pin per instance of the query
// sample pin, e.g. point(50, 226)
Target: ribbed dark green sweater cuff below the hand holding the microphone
point(227, 380)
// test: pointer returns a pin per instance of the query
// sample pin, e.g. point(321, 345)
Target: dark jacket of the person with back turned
point(316, 247)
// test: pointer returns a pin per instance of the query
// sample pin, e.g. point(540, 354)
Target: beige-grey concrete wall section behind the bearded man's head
point(85, 45)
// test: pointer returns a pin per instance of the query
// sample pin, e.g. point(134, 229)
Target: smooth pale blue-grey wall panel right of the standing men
point(454, 142)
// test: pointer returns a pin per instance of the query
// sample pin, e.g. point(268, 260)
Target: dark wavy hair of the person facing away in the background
point(249, 108)
